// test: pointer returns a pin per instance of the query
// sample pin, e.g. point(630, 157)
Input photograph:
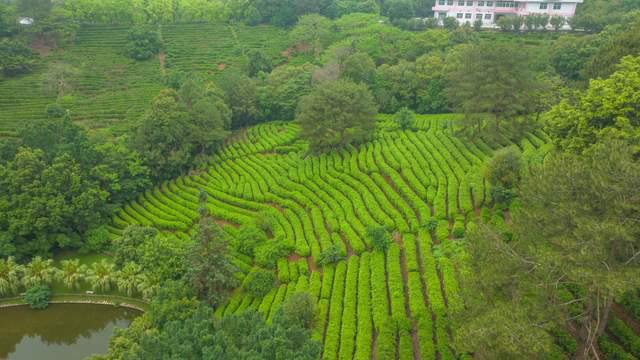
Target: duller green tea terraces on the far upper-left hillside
point(109, 90)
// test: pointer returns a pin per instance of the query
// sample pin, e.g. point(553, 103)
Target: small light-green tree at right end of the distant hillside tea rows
point(314, 31)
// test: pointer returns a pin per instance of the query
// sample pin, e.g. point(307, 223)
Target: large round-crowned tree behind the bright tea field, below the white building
point(491, 79)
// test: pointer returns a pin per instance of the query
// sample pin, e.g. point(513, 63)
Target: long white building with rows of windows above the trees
point(490, 11)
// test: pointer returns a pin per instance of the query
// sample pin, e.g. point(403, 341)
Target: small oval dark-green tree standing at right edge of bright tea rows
point(503, 173)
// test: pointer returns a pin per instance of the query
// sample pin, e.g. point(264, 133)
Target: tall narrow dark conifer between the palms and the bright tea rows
point(210, 272)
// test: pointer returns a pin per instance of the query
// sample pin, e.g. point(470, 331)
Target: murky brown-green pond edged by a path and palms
point(63, 331)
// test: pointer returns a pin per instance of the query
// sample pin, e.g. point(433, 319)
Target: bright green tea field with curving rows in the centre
point(392, 304)
